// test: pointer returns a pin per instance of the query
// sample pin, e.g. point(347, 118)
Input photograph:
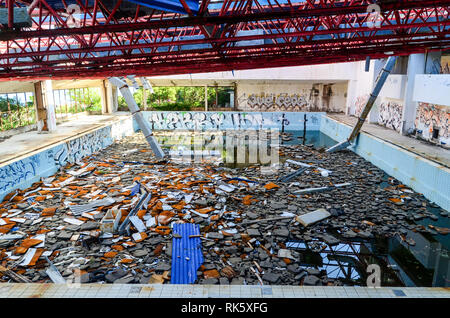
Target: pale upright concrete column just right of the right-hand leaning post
point(416, 65)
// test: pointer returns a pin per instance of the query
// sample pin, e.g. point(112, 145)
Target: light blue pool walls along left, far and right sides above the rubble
point(422, 175)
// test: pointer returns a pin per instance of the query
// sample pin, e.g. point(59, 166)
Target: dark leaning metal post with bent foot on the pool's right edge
point(384, 73)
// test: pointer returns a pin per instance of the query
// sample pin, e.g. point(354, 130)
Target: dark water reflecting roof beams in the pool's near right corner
point(423, 265)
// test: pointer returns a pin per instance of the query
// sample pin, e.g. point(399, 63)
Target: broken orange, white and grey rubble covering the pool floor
point(109, 218)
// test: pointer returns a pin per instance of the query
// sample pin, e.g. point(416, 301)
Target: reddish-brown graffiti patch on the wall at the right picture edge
point(433, 120)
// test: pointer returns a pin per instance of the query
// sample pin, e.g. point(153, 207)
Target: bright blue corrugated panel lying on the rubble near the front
point(186, 254)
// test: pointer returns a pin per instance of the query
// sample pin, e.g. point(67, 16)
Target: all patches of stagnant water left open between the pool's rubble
point(424, 265)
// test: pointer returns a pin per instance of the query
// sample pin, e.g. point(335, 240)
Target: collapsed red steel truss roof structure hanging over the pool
point(100, 38)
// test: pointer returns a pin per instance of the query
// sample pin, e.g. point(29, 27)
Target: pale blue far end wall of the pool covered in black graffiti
point(231, 120)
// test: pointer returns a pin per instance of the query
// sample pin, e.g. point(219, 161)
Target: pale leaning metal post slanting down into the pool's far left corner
point(136, 112)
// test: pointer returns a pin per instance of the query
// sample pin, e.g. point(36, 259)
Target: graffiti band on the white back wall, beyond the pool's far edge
point(295, 102)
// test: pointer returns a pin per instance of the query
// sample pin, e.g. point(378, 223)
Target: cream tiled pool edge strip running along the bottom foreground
point(15, 290)
